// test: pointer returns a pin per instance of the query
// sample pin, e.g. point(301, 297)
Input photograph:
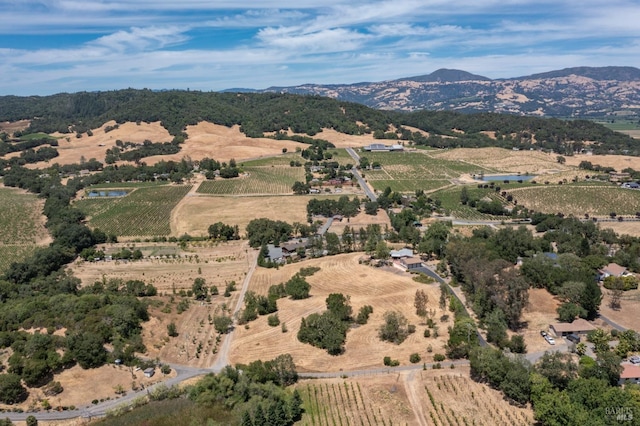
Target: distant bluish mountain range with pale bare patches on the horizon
point(584, 92)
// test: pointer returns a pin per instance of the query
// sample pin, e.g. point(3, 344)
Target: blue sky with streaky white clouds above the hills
point(52, 46)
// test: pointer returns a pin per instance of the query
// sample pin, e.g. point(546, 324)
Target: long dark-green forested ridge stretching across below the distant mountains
point(268, 112)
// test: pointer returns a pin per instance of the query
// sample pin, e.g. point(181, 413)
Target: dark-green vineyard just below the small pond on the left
point(143, 212)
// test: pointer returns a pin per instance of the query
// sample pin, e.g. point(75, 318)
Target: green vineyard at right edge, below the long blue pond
point(580, 199)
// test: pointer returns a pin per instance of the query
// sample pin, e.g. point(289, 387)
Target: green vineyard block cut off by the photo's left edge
point(21, 226)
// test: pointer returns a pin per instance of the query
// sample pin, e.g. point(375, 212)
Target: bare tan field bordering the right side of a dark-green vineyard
point(193, 215)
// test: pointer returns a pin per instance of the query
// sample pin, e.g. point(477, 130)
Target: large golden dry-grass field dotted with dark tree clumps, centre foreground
point(384, 290)
